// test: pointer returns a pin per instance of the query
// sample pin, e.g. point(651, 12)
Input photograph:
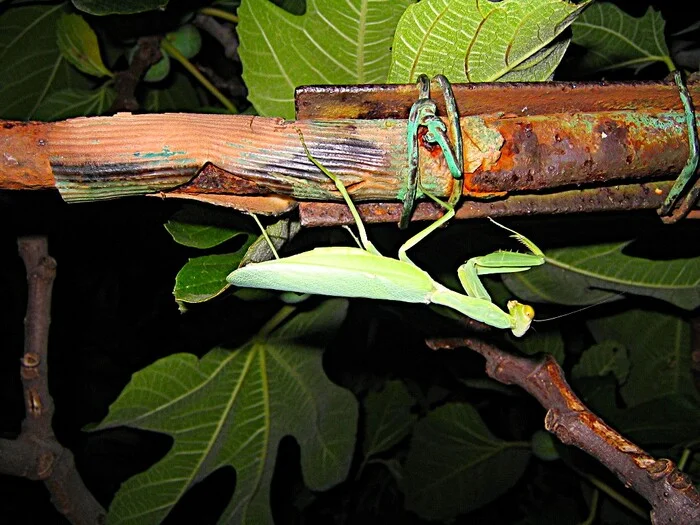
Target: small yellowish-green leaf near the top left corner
point(78, 44)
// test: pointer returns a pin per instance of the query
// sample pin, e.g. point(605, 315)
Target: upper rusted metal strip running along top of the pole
point(536, 98)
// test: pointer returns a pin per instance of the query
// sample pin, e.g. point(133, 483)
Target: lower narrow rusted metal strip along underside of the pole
point(613, 198)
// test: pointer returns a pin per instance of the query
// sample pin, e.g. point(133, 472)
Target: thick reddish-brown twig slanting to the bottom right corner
point(670, 493)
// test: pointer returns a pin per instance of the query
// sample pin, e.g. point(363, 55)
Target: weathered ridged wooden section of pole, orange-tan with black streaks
point(109, 157)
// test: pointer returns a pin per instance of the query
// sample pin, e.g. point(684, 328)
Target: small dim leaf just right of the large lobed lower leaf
point(389, 418)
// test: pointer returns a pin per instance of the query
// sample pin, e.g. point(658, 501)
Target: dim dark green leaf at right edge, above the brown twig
point(659, 350)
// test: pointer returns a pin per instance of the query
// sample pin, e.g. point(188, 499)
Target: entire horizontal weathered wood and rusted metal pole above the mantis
point(529, 148)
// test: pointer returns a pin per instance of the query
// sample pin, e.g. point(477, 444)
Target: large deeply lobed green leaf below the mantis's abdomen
point(233, 407)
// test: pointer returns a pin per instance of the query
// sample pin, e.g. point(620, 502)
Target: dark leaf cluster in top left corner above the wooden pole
point(65, 74)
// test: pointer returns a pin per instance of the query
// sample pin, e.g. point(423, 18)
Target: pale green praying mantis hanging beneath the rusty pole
point(364, 272)
